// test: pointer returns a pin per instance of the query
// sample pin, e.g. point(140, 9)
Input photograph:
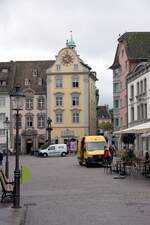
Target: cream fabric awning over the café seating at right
point(139, 129)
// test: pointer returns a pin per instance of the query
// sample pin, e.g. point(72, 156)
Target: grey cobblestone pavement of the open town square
point(63, 193)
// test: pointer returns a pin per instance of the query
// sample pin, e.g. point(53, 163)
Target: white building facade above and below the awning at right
point(138, 84)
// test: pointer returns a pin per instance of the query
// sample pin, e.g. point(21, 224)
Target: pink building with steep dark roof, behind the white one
point(132, 48)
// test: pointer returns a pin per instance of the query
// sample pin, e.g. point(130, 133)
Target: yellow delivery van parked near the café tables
point(91, 150)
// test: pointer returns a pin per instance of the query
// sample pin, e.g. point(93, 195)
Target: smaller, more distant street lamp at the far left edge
point(6, 126)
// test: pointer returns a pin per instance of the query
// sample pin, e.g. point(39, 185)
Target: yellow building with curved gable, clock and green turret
point(71, 96)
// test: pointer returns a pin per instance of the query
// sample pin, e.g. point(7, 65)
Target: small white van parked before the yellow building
point(54, 150)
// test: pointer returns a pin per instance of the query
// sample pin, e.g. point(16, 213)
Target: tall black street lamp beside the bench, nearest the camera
point(17, 104)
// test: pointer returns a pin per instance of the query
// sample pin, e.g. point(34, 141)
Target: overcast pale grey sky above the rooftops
point(37, 30)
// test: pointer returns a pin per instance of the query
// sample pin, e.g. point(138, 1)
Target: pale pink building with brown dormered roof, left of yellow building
point(31, 77)
